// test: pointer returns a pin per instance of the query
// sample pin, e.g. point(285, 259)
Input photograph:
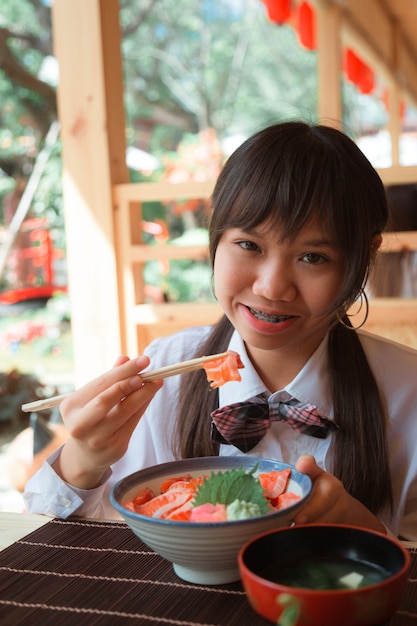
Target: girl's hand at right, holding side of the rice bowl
point(330, 502)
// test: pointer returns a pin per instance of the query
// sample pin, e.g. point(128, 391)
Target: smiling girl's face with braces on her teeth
point(277, 294)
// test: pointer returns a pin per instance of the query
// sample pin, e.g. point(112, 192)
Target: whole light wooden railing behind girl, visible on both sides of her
point(142, 322)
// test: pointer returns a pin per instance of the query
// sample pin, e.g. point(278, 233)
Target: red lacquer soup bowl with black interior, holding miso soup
point(324, 575)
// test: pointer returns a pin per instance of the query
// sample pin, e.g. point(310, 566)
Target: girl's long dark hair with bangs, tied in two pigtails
point(287, 173)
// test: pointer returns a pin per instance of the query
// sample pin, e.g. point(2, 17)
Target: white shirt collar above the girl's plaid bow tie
point(311, 384)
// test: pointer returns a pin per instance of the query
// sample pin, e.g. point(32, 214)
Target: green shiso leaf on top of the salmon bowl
point(226, 487)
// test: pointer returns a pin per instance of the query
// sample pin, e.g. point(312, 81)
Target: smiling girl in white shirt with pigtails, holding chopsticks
point(298, 216)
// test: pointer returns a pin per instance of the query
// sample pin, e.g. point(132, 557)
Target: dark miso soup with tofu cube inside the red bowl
point(325, 574)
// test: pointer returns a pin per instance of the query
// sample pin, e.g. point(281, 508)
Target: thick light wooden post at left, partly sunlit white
point(91, 112)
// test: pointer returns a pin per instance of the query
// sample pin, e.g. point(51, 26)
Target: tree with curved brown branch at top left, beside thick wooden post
point(28, 99)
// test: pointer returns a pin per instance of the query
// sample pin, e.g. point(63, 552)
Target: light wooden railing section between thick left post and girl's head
point(142, 322)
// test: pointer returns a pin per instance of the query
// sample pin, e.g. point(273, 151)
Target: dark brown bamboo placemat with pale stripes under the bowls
point(84, 573)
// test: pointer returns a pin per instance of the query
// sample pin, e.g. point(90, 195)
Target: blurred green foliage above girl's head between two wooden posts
point(202, 65)
